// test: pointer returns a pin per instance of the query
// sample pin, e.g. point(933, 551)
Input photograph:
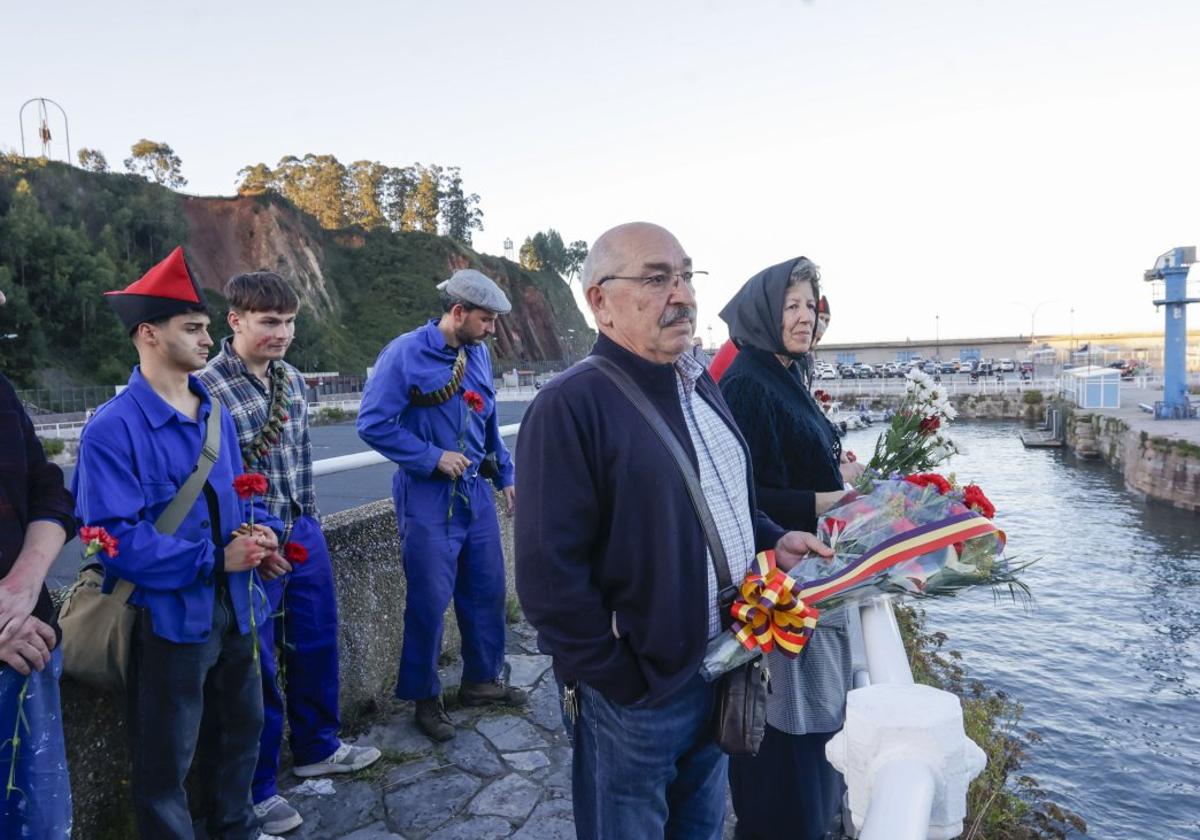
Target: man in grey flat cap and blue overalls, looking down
point(431, 409)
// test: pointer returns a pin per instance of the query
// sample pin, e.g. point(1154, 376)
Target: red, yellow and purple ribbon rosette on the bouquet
point(770, 611)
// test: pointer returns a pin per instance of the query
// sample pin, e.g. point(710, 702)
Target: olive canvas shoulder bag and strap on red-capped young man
point(98, 629)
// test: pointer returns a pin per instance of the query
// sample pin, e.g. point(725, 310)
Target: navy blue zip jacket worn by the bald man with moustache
point(604, 526)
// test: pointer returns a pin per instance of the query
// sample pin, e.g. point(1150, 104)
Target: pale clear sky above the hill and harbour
point(963, 159)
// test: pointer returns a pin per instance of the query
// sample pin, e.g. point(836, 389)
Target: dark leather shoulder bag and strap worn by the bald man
point(740, 717)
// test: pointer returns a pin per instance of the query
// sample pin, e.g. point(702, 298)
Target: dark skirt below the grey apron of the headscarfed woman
point(791, 770)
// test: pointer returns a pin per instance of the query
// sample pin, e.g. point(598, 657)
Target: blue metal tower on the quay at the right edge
point(1171, 289)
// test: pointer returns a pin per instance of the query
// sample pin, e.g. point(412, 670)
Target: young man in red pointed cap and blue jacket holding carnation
point(196, 592)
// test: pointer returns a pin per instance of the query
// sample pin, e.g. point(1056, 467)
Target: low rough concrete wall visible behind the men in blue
point(371, 589)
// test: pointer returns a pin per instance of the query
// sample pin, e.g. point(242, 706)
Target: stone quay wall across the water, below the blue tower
point(1163, 467)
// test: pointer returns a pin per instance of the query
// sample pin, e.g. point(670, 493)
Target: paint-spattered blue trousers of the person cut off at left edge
point(40, 805)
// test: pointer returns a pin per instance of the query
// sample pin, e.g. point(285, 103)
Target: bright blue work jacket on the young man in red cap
point(135, 455)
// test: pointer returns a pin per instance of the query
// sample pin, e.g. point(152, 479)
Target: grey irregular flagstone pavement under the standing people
point(506, 775)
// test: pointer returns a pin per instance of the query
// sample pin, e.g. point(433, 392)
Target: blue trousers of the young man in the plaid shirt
point(304, 625)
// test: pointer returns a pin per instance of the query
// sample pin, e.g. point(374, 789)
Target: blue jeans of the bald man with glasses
point(649, 772)
